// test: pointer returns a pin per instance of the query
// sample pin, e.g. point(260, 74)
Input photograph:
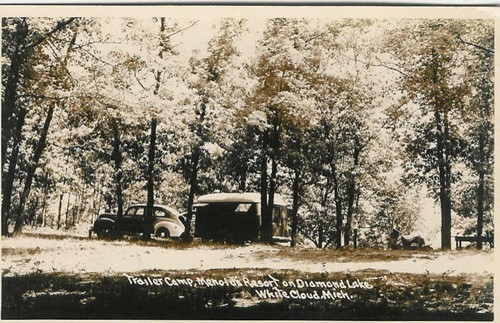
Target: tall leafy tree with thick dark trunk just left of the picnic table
point(429, 63)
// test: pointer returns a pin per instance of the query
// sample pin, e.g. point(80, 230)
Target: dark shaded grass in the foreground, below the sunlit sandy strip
point(393, 297)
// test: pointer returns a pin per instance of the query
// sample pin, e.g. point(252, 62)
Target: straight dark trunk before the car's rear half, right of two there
point(148, 219)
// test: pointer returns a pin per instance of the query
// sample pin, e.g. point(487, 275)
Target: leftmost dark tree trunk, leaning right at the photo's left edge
point(8, 180)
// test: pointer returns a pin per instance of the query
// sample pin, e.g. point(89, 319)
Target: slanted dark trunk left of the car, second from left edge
point(31, 170)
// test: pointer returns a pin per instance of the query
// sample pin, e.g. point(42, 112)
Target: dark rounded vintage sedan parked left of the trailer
point(166, 222)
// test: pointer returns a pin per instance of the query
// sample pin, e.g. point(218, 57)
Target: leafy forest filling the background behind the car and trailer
point(372, 124)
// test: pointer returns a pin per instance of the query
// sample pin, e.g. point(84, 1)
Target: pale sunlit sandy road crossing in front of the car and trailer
point(29, 254)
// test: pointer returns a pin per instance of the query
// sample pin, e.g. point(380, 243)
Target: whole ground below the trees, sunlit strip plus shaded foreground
point(48, 275)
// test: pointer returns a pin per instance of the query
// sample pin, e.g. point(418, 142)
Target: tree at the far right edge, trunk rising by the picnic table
point(479, 39)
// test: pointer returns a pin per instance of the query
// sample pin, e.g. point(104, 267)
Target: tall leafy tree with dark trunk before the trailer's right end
point(286, 57)
